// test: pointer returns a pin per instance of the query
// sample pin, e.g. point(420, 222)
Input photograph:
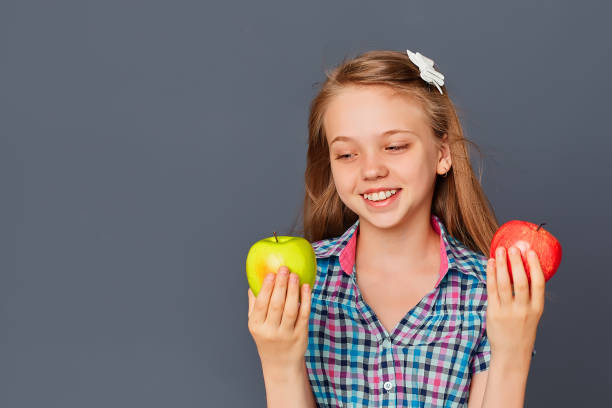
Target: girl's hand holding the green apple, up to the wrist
point(278, 322)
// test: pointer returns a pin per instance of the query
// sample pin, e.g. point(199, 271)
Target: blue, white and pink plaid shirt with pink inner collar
point(433, 351)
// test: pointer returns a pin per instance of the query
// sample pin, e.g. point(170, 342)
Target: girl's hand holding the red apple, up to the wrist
point(512, 319)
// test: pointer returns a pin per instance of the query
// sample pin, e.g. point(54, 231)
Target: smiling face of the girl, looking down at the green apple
point(365, 154)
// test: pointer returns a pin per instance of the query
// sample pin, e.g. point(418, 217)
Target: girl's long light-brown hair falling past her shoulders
point(458, 199)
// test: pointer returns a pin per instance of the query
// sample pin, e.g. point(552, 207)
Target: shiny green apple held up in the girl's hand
point(269, 254)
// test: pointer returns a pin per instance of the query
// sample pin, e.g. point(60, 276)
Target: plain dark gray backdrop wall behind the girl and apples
point(145, 145)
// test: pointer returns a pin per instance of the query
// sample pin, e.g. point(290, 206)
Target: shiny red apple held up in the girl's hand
point(525, 235)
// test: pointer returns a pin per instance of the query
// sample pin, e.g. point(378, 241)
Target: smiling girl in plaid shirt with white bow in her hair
point(400, 227)
